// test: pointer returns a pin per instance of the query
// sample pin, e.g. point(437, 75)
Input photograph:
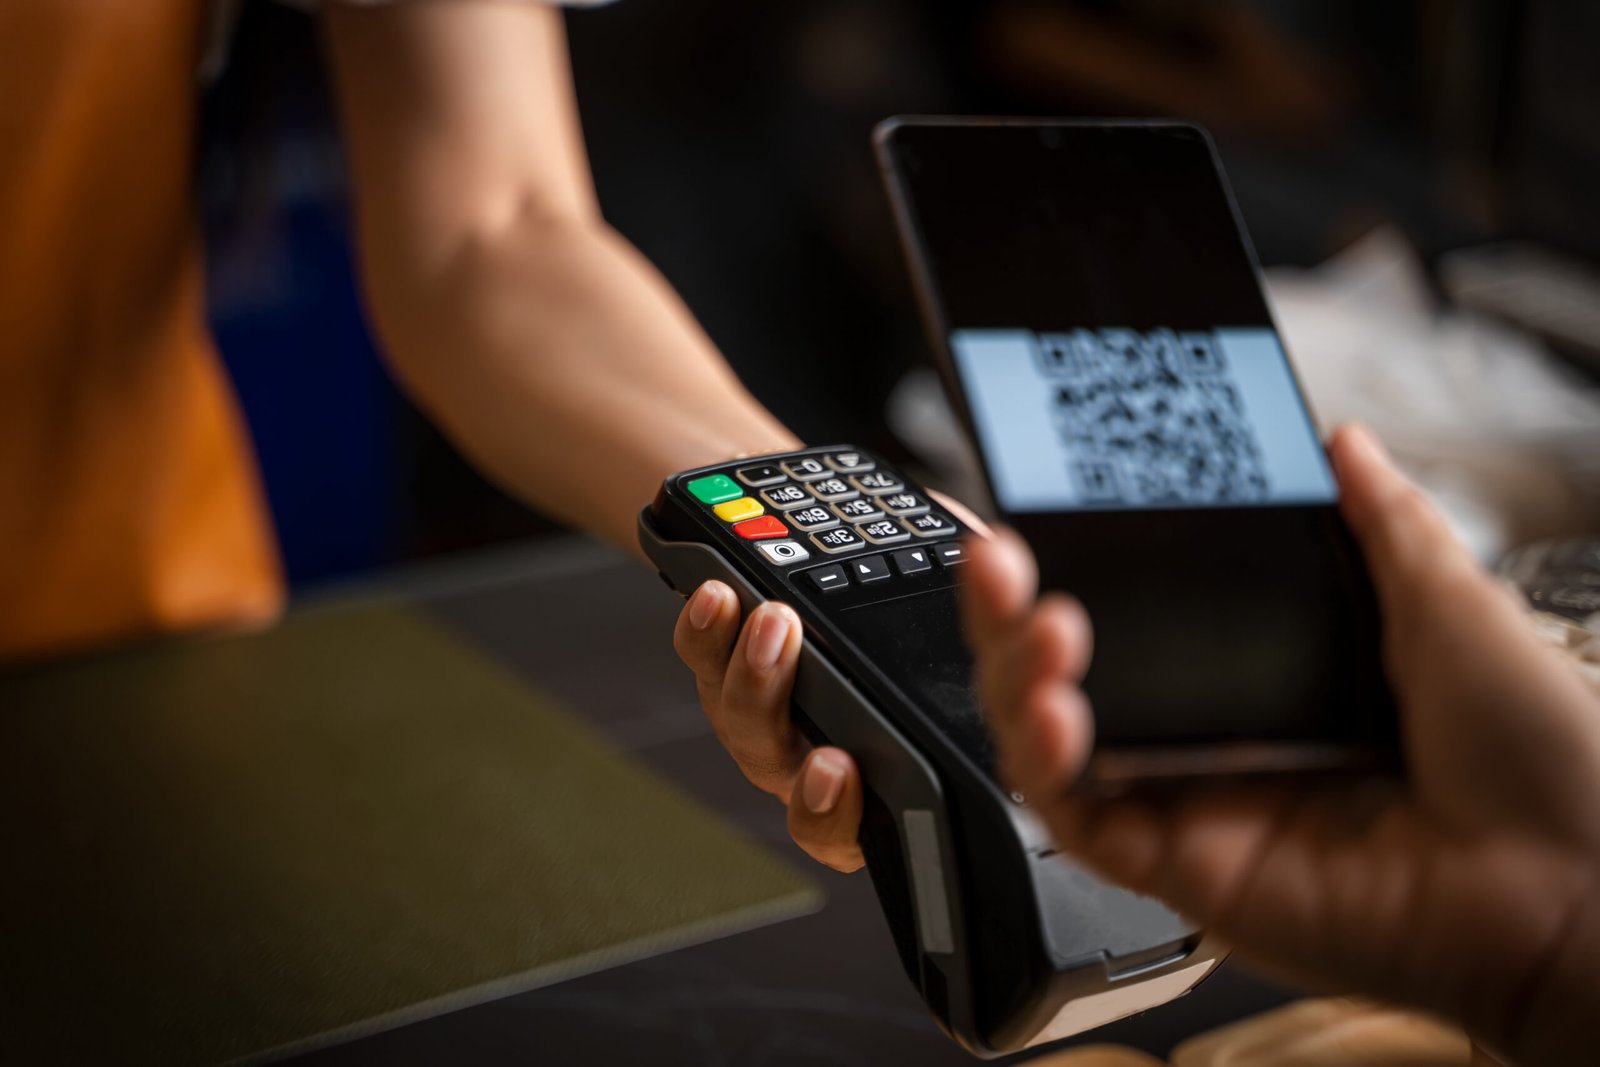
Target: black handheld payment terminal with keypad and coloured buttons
point(1009, 943)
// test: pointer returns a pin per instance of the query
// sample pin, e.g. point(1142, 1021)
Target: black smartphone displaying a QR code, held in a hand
point(1100, 324)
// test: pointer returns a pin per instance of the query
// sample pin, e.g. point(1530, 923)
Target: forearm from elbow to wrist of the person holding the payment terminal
point(567, 369)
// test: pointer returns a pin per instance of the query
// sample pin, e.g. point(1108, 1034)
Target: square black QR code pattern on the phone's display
point(1151, 418)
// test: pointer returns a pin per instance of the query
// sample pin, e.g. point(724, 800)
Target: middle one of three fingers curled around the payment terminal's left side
point(753, 716)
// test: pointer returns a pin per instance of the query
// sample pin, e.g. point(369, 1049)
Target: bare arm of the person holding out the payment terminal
point(540, 340)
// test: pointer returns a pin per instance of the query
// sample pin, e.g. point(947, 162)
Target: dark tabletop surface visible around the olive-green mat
point(825, 988)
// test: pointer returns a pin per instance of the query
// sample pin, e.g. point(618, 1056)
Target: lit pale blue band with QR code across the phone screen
point(1116, 418)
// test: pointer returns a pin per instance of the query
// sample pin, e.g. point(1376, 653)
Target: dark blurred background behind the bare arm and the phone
point(732, 145)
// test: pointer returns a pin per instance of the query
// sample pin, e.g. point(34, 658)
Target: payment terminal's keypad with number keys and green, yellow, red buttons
point(839, 519)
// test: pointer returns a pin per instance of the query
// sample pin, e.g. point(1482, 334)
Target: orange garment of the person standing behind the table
point(129, 494)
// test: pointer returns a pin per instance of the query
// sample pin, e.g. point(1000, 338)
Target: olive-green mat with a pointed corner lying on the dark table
point(242, 847)
